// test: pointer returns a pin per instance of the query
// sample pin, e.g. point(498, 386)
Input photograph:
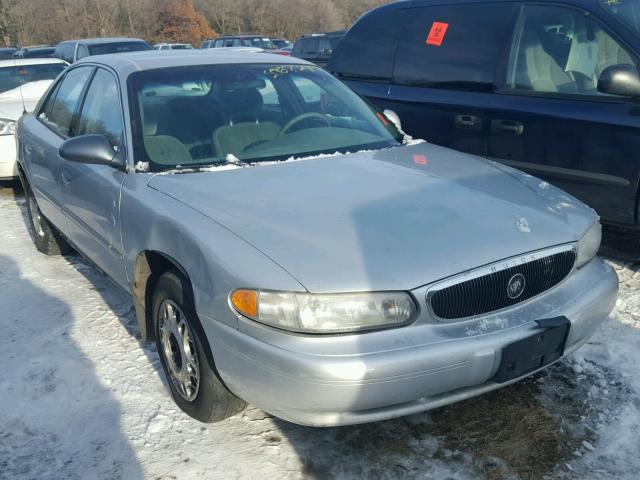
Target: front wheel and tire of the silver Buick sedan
point(190, 372)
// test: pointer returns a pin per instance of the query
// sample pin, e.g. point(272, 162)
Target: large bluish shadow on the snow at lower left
point(57, 420)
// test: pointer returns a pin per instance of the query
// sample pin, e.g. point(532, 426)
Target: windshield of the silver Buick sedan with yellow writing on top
point(204, 115)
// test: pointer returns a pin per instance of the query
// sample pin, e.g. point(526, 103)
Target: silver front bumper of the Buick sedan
point(350, 379)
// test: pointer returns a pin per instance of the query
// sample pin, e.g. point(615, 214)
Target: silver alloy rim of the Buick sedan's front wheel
point(179, 349)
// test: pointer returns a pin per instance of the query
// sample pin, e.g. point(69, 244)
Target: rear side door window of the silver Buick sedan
point(60, 108)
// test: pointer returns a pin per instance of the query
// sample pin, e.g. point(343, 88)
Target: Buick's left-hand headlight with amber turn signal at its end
point(326, 313)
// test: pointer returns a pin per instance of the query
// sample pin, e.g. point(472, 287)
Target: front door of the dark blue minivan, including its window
point(549, 118)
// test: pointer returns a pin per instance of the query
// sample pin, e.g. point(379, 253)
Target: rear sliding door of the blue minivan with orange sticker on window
point(444, 74)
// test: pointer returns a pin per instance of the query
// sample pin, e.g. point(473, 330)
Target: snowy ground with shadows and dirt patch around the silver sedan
point(82, 398)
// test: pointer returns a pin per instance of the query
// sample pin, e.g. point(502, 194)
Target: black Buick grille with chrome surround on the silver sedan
point(491, 291)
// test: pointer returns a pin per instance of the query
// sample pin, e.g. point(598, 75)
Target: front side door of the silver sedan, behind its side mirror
point(91, 193)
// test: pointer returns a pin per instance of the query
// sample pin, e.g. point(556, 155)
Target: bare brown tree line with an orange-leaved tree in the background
point(32, 22)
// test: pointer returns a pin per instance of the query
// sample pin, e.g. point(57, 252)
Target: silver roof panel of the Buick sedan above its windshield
point(129, 62)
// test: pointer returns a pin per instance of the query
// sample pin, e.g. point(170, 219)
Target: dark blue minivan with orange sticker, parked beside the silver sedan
point(550, 88)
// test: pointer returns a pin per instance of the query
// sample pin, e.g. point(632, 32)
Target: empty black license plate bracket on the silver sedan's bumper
point(534, 352)
